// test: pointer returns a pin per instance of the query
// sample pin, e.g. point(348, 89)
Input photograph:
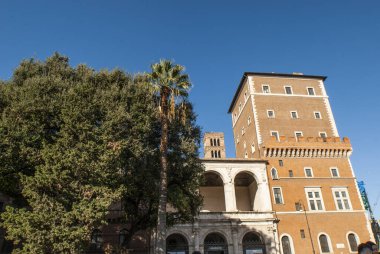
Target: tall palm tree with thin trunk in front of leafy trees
point(172, 86)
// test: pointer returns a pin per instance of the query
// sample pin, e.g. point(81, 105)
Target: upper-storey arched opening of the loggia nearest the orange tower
point(245, 191)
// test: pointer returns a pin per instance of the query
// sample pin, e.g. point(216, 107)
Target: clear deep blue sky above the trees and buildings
point(217, 41)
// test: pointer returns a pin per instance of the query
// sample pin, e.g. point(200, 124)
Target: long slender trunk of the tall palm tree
point(161, 221)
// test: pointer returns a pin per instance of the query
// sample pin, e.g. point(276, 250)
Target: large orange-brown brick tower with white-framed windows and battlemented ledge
point(287, 120)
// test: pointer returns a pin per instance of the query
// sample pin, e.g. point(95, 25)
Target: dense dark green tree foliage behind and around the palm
point(73, 141)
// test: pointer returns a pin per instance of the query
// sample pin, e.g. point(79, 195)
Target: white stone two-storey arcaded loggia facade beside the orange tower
point(233, 225)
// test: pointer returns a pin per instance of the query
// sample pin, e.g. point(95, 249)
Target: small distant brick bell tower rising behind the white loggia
point(214, 145)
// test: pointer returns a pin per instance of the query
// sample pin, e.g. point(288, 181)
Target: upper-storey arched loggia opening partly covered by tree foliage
point(213, 193)
